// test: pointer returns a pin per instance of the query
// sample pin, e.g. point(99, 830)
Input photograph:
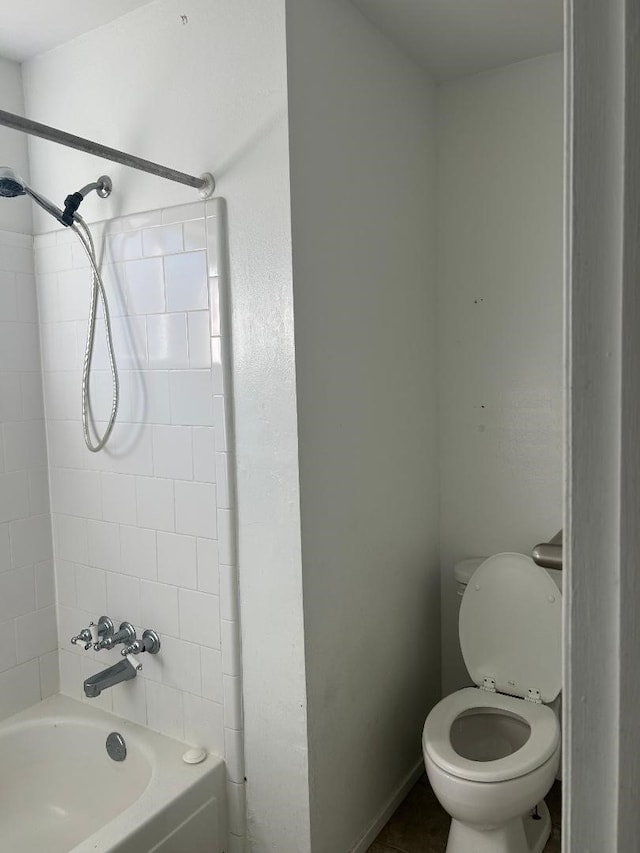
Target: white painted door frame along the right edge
point(601, 600)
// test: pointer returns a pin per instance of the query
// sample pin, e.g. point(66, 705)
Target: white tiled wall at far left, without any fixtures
point(28, 638)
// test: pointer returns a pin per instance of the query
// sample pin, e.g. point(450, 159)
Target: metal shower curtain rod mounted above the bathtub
point(205, 183)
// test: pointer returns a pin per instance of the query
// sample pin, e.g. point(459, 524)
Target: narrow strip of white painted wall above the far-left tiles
point(15, 214)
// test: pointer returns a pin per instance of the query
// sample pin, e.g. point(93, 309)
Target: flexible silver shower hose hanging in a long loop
point(83, 233)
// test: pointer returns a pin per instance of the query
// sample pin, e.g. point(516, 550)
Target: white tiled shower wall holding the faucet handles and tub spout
point(144, 531)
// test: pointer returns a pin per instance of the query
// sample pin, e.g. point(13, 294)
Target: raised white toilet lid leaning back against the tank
point(511, 627)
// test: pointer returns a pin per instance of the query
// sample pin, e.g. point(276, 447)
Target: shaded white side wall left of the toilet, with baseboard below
point(362, 137)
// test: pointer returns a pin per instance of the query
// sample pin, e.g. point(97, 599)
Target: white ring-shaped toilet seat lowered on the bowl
point(543, 740)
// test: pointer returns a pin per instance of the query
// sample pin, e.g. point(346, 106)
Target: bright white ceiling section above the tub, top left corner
point(33, 26)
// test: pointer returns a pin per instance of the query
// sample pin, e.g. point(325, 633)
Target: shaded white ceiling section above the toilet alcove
point(455, 38)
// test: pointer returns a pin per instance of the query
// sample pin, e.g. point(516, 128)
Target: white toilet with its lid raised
point(492, 751)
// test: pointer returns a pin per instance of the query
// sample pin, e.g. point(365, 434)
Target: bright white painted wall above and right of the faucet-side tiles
point(211, 95)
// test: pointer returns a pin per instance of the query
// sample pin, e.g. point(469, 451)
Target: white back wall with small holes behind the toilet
point(500, 185)
